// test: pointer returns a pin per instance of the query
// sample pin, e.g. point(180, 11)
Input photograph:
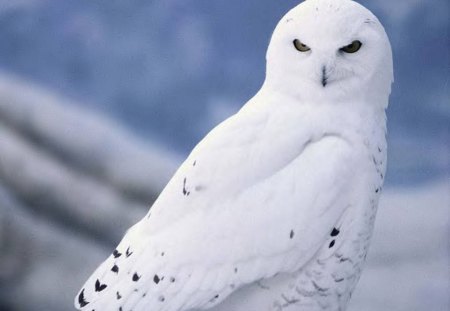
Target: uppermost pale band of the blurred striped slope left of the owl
point(92, 142)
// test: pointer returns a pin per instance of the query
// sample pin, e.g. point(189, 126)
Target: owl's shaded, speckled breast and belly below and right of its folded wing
point(328, 279)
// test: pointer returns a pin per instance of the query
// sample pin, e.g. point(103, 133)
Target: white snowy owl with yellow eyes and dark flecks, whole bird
point(274, 208)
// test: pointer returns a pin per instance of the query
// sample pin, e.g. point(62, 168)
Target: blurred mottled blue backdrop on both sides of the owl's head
point(171, 70)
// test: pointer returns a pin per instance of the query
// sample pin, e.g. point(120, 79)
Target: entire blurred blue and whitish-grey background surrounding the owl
point(100, 101)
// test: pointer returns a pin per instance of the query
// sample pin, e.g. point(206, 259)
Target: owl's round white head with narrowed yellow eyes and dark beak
point(330, 47)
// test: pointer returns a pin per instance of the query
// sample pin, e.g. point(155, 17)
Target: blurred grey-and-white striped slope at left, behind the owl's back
point(71, 183)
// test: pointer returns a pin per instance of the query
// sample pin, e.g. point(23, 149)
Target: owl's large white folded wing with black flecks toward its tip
point(246, 204)
